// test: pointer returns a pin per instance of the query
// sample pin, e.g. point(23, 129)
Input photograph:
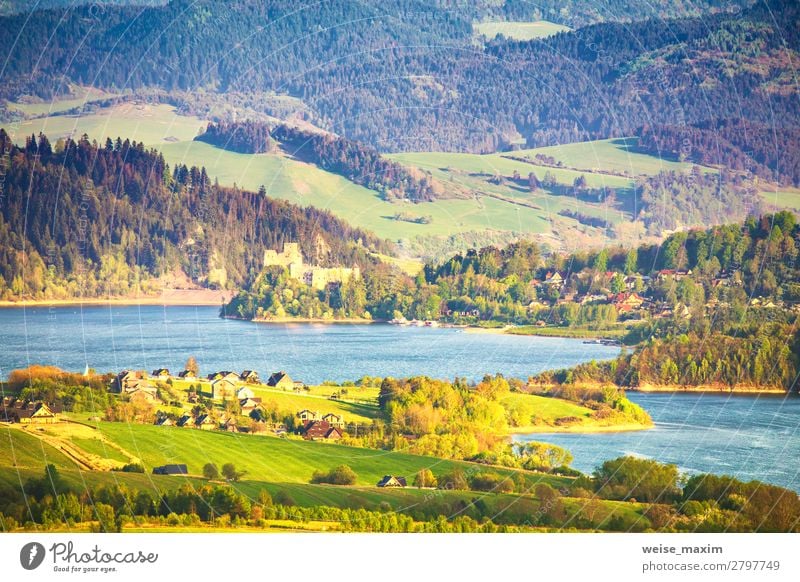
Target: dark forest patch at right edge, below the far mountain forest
point(769, 152)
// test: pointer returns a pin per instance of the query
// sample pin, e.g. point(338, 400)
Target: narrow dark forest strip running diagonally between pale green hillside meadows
point(356, 162)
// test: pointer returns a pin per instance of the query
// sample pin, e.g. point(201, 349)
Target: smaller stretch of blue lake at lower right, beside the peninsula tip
point(749, 437)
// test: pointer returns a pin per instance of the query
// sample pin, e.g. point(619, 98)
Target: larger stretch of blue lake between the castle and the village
point(109, 338)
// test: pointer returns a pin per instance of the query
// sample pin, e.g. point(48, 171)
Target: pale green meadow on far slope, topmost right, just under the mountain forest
point(608, 155)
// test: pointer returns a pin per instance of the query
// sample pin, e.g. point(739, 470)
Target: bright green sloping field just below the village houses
point(265, 459)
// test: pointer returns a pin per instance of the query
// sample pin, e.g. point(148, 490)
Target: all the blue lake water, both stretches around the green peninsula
point(749, 437)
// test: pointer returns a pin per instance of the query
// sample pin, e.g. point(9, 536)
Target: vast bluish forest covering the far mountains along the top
point(410, 77)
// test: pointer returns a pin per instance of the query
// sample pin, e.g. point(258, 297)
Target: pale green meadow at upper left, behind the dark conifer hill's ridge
point(151, 124)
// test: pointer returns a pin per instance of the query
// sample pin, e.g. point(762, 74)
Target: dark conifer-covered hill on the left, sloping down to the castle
point(82, 220)
